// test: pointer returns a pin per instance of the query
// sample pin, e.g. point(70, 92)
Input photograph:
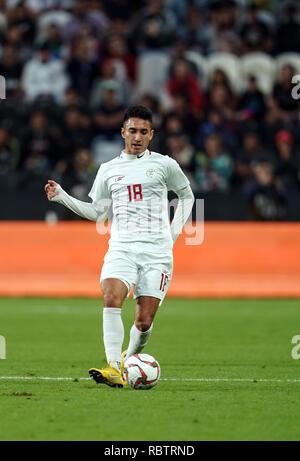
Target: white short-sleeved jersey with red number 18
point(137, 186)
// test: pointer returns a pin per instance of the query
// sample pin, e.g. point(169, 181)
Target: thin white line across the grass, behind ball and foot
point(214, 380)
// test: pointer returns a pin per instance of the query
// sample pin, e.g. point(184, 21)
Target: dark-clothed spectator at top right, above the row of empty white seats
point(255, 33)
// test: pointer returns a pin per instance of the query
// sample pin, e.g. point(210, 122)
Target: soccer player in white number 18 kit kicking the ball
point(135, 183)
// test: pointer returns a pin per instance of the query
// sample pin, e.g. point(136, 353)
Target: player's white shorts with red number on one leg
point(150, 274)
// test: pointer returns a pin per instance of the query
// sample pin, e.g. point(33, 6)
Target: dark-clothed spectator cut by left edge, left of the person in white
point(11, 68)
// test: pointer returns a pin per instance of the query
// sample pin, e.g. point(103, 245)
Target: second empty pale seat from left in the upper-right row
point(261, 66)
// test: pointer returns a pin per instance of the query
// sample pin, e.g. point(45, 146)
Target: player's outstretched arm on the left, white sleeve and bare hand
point(55, 193)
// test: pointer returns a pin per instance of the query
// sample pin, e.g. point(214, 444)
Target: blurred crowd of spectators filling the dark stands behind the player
point(73, 66)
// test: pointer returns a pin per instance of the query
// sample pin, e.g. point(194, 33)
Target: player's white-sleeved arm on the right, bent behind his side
point(184, 207)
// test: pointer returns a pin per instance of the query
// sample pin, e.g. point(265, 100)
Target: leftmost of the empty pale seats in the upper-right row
point(230, 64)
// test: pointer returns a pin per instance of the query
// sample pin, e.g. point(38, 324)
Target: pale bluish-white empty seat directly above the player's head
point(152, 71)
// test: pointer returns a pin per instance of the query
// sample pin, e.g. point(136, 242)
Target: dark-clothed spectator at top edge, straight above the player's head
point(153, 27)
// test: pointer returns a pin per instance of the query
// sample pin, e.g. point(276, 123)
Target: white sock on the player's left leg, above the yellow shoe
point(113, 335)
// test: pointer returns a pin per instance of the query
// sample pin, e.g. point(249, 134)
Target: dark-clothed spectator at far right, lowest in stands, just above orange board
point(266, 199)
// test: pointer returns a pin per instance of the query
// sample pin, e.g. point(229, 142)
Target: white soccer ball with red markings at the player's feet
point(141, 371)
